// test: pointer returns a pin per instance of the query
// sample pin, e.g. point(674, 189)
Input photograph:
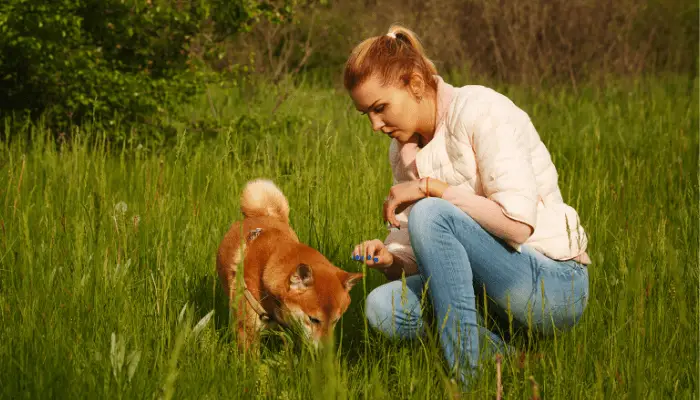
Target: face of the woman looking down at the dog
point(392, 110)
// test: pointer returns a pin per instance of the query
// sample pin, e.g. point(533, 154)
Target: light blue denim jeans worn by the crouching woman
point(457, 259)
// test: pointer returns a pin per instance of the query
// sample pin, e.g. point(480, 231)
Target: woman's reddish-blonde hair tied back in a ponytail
point(392, 58)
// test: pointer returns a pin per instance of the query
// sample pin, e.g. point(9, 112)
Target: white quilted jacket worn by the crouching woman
point(484, 144)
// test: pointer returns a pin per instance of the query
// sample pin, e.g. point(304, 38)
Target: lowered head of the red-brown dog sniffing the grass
point(316, 298)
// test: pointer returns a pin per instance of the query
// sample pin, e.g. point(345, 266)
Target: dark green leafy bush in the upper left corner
point(71, 59)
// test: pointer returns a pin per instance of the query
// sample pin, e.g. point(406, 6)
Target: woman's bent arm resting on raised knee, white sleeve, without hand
point(498, 133)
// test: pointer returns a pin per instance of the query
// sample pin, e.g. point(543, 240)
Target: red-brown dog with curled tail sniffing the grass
point(285, 282)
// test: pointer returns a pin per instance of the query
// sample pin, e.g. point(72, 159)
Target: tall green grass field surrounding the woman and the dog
point(107, 254)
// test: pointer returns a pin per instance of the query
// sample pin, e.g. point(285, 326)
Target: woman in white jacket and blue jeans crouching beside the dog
point(475, 206)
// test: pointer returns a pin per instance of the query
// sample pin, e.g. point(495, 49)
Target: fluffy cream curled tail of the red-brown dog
point(262, 198)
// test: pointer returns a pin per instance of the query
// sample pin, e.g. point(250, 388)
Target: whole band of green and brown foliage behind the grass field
point(136, 61)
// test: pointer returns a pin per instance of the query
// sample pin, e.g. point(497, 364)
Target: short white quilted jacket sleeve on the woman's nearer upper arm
point(498, 132)
